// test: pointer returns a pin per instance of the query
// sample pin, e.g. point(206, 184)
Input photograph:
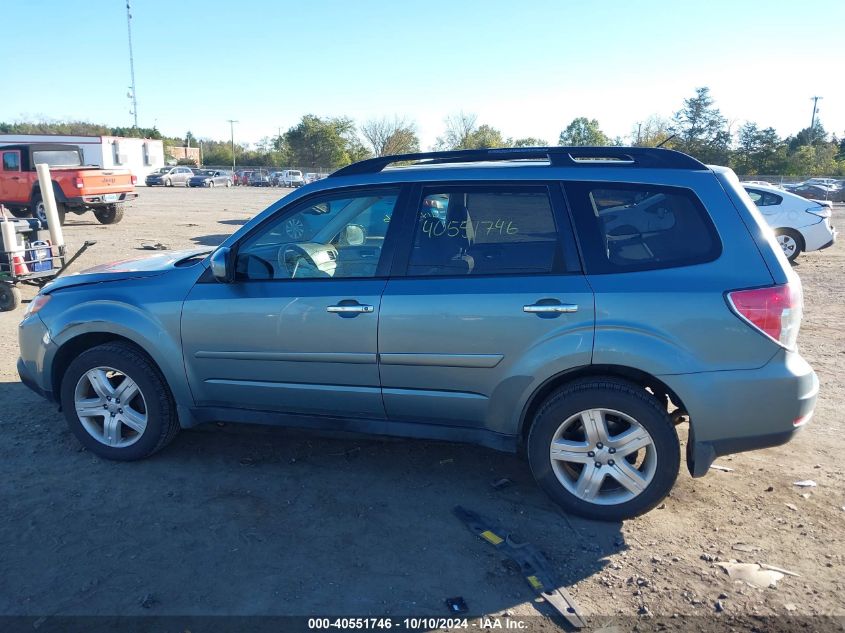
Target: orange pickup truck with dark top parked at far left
point(78, 187)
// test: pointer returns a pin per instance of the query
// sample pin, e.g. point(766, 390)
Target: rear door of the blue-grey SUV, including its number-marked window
point(488, 300)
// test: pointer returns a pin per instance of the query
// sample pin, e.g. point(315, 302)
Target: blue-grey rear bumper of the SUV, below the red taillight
point(737, 411)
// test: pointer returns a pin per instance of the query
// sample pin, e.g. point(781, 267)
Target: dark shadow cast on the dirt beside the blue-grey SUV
point(245, 520)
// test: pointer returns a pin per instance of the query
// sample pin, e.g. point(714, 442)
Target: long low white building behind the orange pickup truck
point(139, 155)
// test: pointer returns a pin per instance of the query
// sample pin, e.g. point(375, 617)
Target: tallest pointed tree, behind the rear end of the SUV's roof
point(701, 129)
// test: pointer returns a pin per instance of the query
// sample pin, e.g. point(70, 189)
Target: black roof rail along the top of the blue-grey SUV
point(557, 156)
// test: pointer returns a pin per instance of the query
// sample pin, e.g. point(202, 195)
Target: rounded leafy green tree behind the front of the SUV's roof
point(324, 142)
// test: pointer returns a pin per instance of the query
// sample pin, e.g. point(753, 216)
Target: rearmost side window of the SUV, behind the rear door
point(626, 227)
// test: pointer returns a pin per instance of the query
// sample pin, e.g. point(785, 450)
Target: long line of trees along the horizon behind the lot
point(697, 128)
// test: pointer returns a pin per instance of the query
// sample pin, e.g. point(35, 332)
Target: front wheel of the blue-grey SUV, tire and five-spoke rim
point(126, 439)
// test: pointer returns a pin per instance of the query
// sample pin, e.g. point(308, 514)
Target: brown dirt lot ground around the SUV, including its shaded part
point(242, 520)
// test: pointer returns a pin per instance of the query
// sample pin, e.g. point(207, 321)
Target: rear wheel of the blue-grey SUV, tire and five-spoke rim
point(624, 411)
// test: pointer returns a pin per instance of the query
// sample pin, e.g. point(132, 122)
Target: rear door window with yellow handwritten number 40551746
point(484, 231)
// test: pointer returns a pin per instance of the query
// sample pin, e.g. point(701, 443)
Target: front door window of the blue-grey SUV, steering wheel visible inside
point(333, 237)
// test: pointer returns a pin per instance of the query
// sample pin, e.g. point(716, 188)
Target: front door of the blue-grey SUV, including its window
point(296, 332)
